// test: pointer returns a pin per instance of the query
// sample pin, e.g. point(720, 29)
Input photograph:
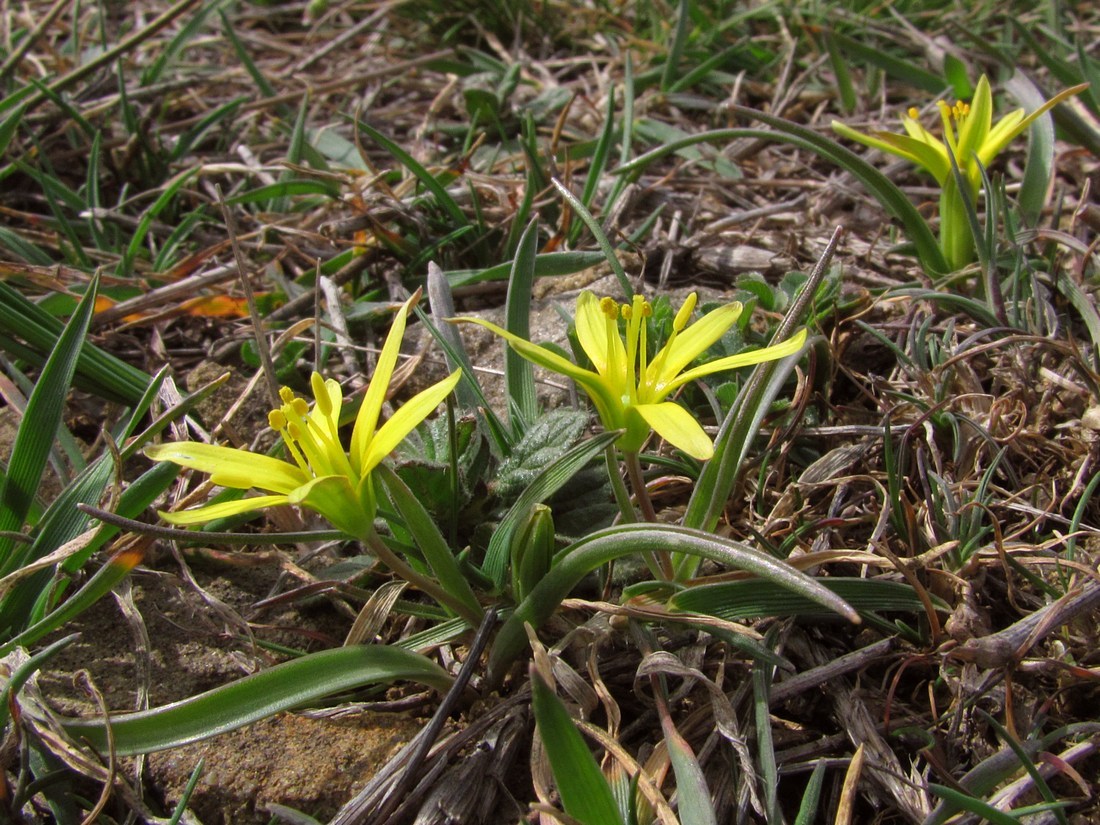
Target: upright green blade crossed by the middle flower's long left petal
point(519, 372)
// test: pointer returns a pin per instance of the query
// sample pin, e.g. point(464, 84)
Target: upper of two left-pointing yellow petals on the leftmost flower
point(229, 468)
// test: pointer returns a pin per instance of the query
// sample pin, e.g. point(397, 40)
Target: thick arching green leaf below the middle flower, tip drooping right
point(585, 556)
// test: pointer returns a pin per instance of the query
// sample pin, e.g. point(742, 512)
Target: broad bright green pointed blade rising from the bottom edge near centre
point(586, 794)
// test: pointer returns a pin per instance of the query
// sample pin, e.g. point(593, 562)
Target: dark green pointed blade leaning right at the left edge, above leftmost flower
point(39, 428)
